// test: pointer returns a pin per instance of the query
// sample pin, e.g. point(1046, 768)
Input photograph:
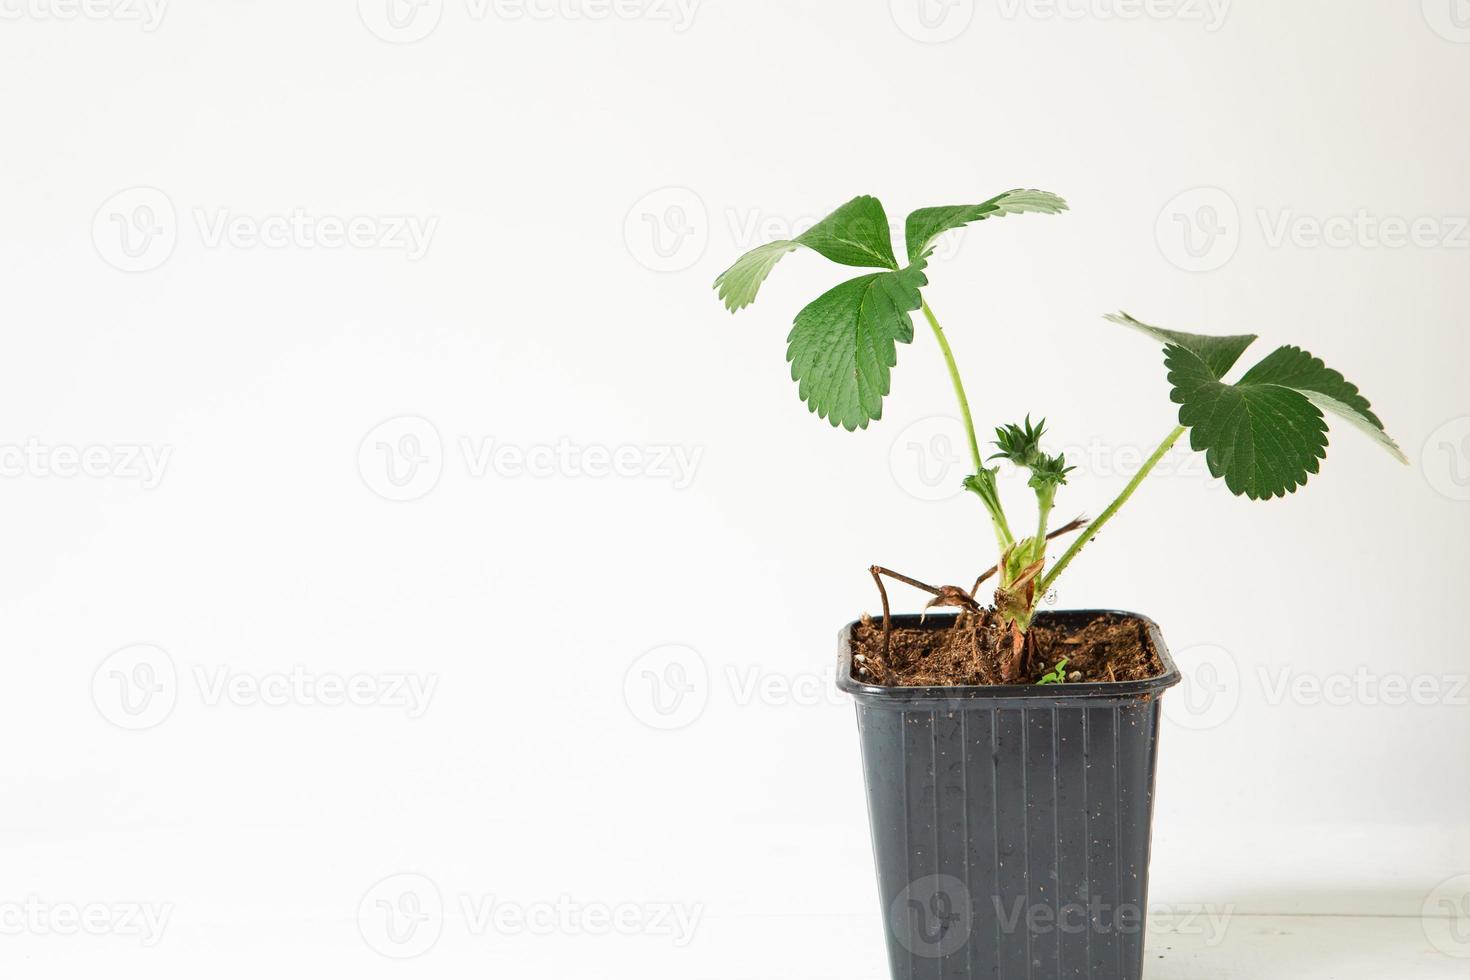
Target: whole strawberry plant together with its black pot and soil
point(1009, 753)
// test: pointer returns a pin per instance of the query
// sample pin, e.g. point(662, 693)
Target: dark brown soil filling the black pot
point(968, 649)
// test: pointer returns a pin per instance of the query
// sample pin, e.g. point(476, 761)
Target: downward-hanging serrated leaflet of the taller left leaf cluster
point(845, 345)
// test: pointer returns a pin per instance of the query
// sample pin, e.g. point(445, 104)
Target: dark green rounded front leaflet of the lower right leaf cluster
point(1263, 440)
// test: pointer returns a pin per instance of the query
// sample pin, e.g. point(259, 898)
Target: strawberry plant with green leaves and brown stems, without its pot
point(1265, 434)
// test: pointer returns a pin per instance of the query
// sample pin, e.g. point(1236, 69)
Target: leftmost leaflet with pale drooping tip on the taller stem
point(856, 234)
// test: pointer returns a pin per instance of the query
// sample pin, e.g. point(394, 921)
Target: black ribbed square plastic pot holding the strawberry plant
point(1012, 824)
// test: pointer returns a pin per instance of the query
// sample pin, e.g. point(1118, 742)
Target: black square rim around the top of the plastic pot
point(1097, 694)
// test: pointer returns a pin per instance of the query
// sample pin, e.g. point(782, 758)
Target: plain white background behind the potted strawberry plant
point(578, 179)
